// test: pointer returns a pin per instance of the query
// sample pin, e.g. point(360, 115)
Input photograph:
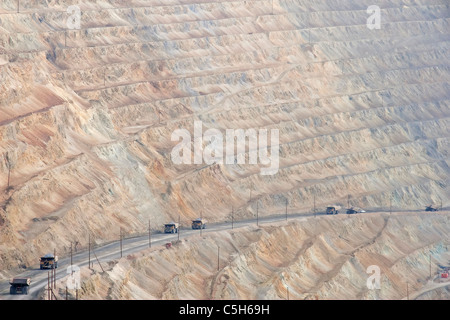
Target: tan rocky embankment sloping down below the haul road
point(317, 258)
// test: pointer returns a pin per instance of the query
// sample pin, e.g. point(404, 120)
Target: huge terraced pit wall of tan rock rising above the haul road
point(87, 115)
